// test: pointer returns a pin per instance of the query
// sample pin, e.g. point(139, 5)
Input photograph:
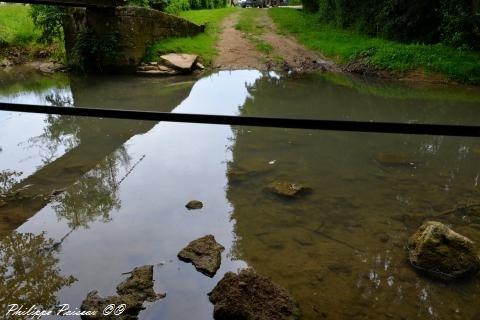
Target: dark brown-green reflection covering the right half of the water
point(340, 250)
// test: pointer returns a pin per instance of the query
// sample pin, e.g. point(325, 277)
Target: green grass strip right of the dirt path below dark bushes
point(344, 46)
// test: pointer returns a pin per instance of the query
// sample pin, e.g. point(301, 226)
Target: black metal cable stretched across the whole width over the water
point(295, 123)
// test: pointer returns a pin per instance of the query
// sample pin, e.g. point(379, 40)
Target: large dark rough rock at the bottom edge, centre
point(248, 296)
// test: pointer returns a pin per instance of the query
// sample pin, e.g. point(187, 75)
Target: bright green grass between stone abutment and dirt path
point(202, 44)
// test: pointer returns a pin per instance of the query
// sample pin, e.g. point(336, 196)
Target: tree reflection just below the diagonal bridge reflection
point(95, 195)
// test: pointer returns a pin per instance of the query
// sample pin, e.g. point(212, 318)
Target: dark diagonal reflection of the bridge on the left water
point(97, 139)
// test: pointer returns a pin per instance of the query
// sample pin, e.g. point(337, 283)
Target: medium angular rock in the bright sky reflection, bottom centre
point(204, 253)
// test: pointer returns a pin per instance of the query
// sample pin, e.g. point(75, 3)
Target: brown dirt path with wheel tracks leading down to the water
point(237, 52)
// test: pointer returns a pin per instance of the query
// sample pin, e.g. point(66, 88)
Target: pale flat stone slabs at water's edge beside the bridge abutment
point(171, 64)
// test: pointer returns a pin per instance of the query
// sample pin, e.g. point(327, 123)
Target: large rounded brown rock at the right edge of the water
point(442, 253)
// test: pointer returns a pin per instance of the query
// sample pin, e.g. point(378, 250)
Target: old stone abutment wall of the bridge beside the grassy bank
point(136, 28)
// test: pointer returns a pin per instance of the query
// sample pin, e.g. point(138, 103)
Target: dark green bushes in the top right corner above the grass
point(452, 22)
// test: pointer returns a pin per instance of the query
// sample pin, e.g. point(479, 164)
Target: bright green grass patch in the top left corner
point(16, 25)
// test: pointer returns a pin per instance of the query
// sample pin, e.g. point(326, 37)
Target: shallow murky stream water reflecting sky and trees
point(338, 250)
